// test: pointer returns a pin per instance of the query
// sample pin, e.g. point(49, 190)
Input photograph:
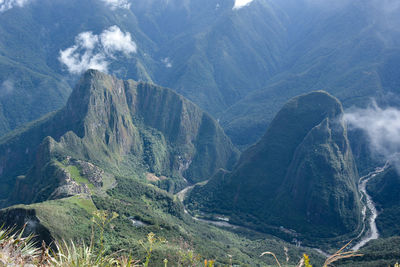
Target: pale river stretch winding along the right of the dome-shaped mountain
point(366, 199)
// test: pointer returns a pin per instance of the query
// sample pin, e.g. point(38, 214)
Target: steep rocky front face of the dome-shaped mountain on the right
point(319, 186)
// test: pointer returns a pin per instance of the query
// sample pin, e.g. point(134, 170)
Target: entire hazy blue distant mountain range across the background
point(239, 65)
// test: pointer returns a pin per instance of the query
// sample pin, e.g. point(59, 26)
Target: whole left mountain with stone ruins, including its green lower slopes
point(110, 148)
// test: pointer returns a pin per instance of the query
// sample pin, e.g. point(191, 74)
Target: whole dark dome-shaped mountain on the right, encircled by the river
point(298, 181)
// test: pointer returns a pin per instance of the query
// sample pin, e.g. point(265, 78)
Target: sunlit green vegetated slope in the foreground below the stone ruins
point(160, 213)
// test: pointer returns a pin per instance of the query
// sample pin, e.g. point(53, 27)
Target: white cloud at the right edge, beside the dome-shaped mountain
point(382, 127)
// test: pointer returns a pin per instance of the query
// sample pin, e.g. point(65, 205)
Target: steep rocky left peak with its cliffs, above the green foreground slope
point(124, 128)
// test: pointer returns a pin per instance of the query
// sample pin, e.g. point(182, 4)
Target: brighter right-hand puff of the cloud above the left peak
point(114, 40)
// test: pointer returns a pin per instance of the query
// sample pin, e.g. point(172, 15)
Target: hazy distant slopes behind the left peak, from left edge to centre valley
point(206, 51)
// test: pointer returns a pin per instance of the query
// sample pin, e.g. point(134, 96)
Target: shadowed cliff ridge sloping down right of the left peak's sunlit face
point(201, 147)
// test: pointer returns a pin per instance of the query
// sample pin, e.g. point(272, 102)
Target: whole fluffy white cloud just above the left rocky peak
point(92, 51)
